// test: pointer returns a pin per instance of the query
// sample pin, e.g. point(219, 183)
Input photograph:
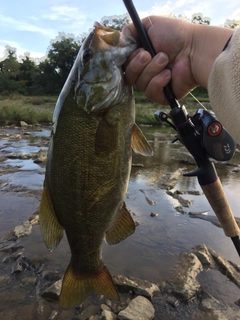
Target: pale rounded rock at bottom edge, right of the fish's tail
point(139, 308)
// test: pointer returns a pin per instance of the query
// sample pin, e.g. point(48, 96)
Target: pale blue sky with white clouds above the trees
point(30, 25)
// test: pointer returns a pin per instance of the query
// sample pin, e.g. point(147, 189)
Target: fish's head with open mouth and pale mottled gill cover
point(98, 68)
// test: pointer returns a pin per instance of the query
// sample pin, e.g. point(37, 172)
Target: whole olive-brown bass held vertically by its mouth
point(89, 162)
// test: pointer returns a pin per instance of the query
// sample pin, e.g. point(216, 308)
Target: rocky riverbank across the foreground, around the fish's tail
point(180, 297)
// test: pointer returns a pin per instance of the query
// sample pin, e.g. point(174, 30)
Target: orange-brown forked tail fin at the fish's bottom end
point(76, 287)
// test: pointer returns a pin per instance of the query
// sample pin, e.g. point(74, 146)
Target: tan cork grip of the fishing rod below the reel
point(218, 201)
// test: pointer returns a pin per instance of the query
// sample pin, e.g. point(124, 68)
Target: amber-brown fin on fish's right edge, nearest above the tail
point(123, 227)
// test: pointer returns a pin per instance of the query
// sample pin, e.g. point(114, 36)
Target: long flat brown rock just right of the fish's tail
point(138, 286)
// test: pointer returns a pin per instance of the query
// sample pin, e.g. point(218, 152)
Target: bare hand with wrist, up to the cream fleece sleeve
point(185, 55)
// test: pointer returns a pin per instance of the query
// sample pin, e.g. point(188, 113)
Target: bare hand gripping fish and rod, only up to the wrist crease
point(171, 39)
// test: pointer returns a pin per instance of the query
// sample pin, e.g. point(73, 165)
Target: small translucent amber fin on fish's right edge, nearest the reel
point(139, 142)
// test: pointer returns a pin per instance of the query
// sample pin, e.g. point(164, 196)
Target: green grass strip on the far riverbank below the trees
point(39, 109)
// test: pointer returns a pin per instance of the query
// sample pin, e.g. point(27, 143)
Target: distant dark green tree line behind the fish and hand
point(31, 77)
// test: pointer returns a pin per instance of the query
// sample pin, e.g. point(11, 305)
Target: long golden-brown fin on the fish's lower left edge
point(52, 231)
